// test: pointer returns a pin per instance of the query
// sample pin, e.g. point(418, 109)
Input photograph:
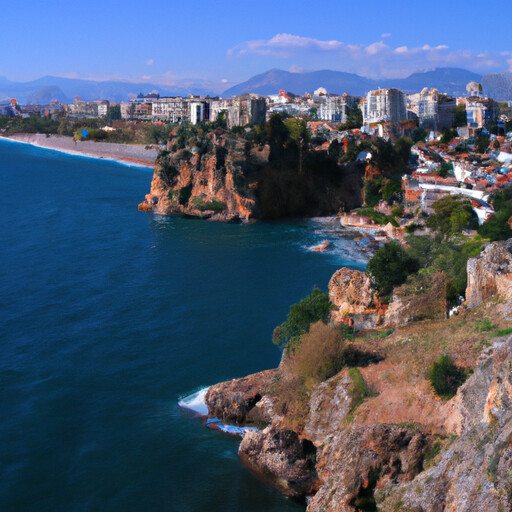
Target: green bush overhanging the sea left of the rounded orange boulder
point(312, 308)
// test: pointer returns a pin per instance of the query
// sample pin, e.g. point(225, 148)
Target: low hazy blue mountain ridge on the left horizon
point(48, 88)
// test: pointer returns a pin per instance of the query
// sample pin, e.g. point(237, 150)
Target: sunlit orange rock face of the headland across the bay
point(208, 182)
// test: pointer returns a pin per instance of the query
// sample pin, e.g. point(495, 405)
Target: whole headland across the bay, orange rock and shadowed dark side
point(224, 176)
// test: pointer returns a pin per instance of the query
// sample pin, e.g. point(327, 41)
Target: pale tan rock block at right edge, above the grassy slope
point(490, 274)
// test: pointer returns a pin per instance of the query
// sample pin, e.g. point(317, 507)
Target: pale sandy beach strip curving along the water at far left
point(126, 154)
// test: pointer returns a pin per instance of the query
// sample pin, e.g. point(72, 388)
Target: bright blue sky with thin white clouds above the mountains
point(226, 41)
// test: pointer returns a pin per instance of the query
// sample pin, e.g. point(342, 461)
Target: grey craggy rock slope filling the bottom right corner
point(474, 472)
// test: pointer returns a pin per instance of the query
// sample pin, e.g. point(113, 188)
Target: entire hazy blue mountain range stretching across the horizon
point(451, 81)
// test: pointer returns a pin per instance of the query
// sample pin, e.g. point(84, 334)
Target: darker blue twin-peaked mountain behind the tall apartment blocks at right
point(448, 80)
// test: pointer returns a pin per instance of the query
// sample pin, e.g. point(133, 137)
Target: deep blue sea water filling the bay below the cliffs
point(109, 316)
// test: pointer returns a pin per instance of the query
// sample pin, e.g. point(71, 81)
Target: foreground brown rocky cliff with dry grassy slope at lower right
point(375, 436)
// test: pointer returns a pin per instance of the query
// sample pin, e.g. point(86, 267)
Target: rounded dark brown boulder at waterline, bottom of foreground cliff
point(282, 459)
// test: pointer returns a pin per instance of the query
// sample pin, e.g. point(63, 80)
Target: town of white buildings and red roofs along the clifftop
point(462, 145)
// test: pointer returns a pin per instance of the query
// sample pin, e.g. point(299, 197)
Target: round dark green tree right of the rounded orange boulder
point(390, 267)
